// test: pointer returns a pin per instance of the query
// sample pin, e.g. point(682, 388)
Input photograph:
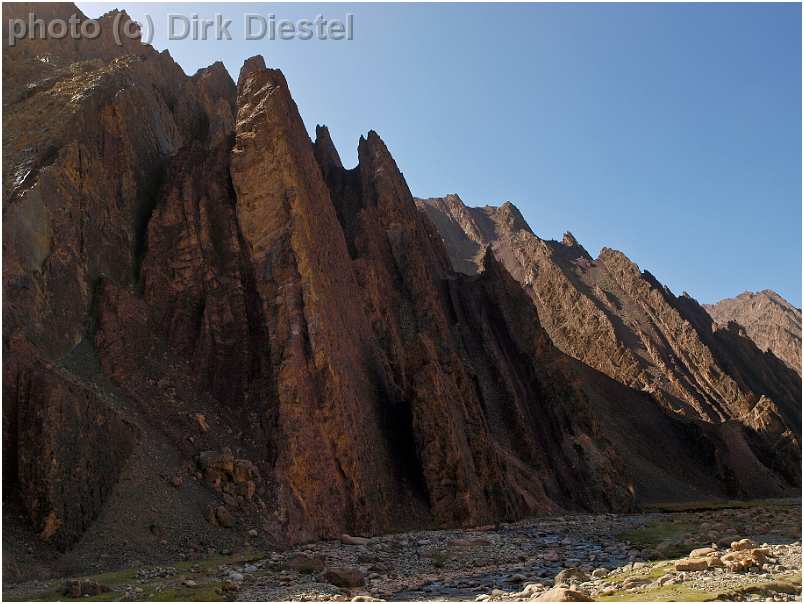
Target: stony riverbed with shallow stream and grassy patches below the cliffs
point(743, 553)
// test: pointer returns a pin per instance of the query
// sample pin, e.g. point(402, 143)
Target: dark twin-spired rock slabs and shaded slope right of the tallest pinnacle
point(573, 436)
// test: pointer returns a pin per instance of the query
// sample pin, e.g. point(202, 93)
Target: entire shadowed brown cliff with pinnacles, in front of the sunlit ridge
point(186, 272)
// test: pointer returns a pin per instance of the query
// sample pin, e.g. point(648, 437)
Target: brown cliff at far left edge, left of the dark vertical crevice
point(92, 129)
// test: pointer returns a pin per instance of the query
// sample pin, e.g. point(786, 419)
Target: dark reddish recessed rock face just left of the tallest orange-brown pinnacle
point(194, 275)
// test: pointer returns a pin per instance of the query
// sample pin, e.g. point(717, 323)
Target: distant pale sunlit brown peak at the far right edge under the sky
point(769, 320)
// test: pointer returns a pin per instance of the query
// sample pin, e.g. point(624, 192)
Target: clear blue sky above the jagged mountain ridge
point(671, 132)
